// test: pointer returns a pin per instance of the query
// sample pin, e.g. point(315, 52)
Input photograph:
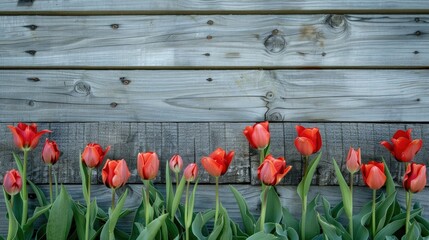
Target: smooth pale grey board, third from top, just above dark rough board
point(216, 95)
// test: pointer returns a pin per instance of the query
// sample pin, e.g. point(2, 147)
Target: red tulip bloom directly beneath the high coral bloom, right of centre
point(272, 170)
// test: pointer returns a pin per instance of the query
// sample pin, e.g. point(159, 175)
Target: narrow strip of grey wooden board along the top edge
point(212, 5)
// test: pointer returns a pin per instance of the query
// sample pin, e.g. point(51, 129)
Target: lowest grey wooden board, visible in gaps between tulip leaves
point(205, 199)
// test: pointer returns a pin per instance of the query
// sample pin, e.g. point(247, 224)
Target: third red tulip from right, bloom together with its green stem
point(374, 178)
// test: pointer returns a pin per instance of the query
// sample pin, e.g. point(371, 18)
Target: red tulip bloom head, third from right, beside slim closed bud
point(373, 174)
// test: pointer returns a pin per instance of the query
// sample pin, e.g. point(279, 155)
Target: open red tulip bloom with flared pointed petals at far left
point(26, 136)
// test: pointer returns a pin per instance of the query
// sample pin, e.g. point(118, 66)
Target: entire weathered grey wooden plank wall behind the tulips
point(187, 77)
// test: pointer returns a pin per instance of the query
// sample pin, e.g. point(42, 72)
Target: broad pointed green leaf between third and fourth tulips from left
point(60, 217)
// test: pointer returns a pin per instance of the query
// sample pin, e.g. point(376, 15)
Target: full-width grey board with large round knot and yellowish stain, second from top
point(206, 41)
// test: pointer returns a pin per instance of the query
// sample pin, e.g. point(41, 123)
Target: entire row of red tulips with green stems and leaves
point(166, 218)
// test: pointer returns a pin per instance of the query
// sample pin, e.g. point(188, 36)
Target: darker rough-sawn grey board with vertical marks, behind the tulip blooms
point(195, 140)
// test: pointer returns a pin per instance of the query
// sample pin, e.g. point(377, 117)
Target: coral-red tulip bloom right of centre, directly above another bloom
point(258, 135)
